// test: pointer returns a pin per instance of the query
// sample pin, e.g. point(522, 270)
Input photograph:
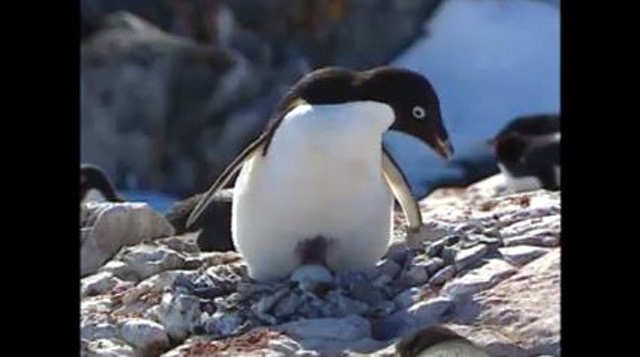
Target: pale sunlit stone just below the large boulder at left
point(147, 259)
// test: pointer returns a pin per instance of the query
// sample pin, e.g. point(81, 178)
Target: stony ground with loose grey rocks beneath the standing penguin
point(486, 266)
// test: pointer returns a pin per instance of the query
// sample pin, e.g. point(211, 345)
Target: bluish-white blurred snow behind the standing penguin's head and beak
point(489, 61)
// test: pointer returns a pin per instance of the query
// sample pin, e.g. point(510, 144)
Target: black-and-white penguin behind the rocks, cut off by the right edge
point(528, 152)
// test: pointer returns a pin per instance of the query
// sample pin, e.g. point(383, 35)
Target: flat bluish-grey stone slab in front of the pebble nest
point(342, 329)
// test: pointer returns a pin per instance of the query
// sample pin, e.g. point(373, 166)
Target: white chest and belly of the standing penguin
point(321, 179)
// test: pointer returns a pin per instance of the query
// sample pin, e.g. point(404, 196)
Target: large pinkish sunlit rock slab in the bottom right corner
point(521, 315)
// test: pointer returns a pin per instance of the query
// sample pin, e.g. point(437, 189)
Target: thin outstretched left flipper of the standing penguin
point(248, 153)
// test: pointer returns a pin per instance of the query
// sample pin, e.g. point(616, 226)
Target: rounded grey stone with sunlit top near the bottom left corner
point(146, 335)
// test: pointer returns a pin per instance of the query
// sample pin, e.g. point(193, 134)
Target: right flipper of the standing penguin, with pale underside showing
point(400, 189)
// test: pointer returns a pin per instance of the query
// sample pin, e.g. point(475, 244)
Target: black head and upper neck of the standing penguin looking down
point(409, 94)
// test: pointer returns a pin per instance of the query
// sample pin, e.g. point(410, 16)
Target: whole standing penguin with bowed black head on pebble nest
point(316, 186)
